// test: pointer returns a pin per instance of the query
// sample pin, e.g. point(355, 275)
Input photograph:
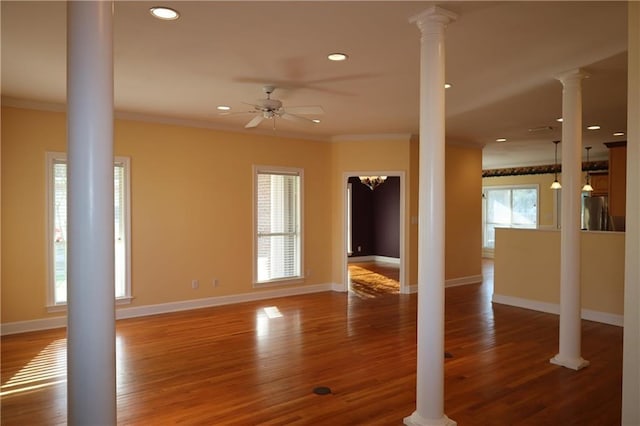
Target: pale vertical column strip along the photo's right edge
point(631, 350)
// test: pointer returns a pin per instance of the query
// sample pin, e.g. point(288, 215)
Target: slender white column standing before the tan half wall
point(570, 304)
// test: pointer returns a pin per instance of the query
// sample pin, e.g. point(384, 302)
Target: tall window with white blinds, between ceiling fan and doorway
point(278, 224)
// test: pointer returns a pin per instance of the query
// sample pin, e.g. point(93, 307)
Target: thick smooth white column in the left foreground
point(91, 384)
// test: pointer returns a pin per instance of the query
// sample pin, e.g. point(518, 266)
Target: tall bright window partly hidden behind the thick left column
point(57, 205)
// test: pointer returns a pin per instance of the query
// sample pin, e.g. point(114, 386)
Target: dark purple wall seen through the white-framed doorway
point(375, 218)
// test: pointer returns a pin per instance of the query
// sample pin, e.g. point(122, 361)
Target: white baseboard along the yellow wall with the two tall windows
point(163, 308)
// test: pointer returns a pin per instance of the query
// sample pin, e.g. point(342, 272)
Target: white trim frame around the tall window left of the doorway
point(293, 171)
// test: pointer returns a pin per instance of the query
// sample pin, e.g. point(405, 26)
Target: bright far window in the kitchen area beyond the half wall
point(508, 207)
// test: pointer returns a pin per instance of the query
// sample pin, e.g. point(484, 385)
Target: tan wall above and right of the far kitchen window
point(547, 205)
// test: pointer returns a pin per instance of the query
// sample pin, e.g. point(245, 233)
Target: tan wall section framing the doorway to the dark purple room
point(463, 236)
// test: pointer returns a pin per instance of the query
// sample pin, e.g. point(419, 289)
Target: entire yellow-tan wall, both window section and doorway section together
point(191, 206)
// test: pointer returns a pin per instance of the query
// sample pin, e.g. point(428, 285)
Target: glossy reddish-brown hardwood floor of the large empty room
point(258, 363)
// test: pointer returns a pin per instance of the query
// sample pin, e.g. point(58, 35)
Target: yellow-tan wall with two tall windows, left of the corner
point(191, 208)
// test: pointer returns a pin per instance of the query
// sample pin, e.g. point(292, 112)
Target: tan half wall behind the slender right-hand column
point(527, 266)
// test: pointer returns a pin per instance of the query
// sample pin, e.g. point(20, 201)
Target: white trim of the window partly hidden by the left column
point(51, 158)
